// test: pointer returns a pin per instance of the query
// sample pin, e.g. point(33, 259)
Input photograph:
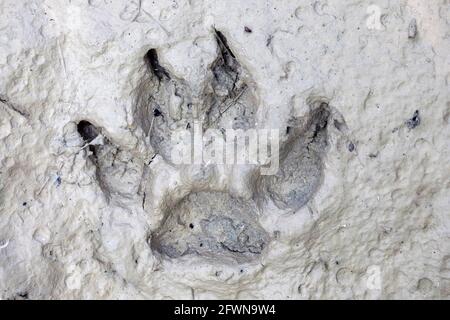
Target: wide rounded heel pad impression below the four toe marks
point(211, 224)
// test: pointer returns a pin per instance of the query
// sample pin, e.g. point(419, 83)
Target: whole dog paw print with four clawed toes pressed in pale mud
point(208, 222)
